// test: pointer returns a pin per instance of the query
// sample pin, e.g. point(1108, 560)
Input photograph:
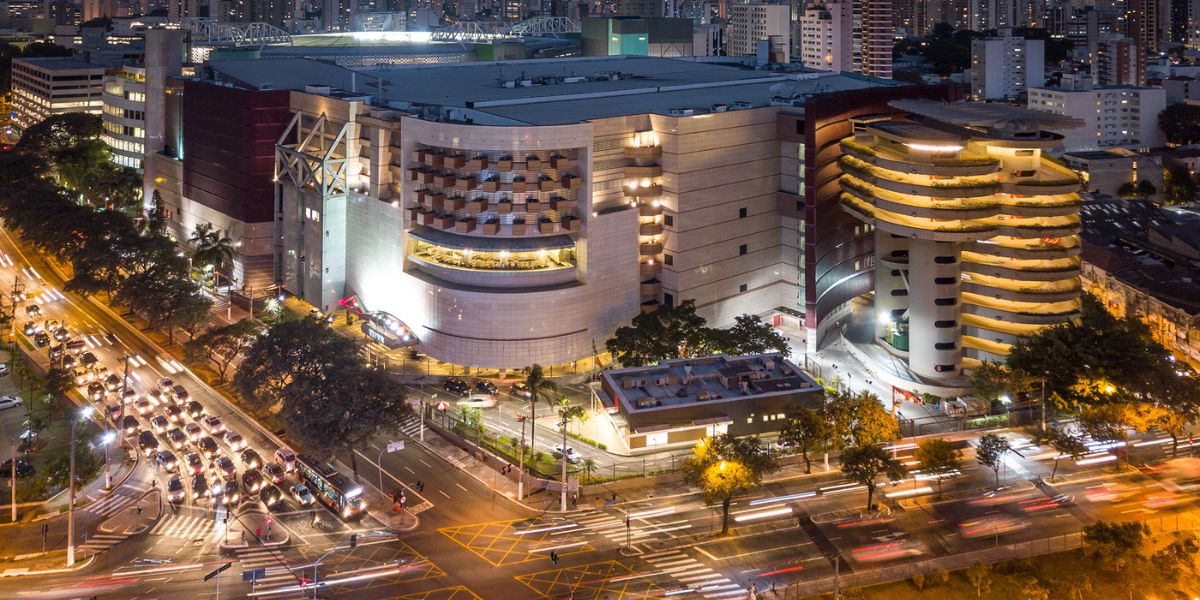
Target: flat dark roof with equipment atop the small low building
point(675, 383)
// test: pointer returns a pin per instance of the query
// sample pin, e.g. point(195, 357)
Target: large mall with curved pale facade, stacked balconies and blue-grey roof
point(503, 215)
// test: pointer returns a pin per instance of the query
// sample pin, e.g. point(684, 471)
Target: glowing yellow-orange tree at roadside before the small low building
point(725, 466)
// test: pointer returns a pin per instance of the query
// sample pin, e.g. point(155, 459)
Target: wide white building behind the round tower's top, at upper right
point(1114, 116)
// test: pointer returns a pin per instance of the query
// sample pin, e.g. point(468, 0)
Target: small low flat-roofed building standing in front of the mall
point(679, 403)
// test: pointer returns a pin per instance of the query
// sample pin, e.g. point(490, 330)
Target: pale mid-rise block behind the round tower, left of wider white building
point(1004, 68)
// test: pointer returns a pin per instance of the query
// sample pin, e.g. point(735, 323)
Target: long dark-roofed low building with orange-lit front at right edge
point(1141, 261)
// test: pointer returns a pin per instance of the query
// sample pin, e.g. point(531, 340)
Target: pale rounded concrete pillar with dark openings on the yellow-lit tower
point(934, 328)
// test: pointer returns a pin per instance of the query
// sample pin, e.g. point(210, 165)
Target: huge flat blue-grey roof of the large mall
point(560, 91)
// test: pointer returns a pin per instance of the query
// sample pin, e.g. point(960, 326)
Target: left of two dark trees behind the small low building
point(667, 333)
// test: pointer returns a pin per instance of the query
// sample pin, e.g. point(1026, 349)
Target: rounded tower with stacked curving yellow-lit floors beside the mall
point(976, 233)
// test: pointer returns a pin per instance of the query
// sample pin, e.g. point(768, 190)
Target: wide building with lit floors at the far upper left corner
point(55, 86)
